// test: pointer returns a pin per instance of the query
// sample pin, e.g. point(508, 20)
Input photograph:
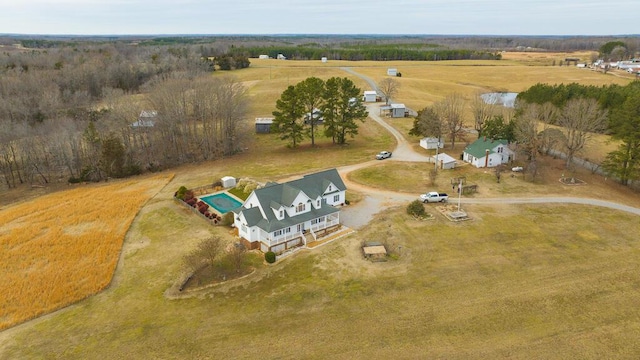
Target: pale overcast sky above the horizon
point(445, 17)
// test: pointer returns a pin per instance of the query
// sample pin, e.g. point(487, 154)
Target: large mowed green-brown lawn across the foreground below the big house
point(515, 282)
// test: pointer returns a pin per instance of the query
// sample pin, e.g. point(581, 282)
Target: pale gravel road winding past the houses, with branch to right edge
point(375, 200)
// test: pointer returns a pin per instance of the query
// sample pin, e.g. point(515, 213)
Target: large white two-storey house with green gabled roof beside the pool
point(278, 217)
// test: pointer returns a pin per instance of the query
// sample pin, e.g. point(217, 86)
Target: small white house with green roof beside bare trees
point(488, 153)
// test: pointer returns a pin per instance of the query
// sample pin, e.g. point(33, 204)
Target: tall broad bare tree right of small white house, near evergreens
point(580, 118)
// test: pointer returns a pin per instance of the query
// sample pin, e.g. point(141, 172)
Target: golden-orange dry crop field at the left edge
point(63, 247)
